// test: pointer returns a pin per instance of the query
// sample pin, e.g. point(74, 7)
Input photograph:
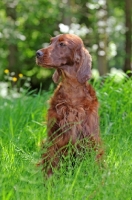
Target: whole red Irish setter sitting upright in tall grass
point(73, 113)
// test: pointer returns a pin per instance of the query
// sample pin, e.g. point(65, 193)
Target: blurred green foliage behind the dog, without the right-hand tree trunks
point(26, 26)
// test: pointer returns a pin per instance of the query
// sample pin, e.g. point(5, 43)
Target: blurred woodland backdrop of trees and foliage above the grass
point(26, 26)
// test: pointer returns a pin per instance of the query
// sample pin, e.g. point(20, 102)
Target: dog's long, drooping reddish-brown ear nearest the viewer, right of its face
point(84, 70)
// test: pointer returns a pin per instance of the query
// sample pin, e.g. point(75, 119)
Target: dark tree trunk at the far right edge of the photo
point(128, 42)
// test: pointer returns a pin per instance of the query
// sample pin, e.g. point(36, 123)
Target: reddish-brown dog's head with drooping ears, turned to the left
point(67, 54)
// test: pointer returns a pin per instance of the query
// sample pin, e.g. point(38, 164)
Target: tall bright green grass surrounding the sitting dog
point(22, 128)
